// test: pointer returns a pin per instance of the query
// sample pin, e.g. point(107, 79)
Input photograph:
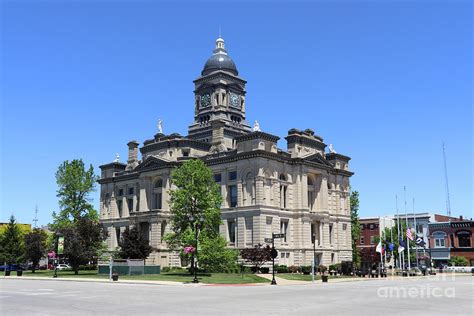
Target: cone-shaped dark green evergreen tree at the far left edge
point(12, 248)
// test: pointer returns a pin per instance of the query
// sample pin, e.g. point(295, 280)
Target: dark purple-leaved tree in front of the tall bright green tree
point(83, 242)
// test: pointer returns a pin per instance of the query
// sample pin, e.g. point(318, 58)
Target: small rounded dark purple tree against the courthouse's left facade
point(133, 245)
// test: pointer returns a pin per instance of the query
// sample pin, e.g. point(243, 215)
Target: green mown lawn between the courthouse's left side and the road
point(212, 278)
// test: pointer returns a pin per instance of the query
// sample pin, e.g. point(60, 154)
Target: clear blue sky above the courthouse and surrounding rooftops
point(385, 82)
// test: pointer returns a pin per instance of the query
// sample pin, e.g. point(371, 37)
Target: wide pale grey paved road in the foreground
point(429, 296)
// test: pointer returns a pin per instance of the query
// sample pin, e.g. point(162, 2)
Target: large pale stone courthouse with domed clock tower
point(302, 191)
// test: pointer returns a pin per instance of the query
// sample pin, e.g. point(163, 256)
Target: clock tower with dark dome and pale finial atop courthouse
point(219, 101)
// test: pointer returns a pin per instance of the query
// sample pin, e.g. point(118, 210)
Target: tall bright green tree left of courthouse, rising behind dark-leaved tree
point(75, 184)
